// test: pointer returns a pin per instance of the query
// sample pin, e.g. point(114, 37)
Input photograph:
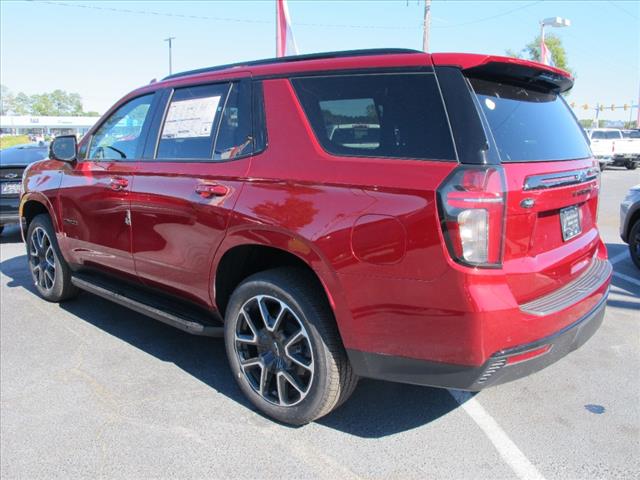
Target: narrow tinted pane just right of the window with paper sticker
point(235, 138)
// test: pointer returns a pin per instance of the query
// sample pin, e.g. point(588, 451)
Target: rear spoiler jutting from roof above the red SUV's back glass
point(508, 70)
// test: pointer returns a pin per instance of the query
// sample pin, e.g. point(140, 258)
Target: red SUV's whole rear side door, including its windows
point(187, 186)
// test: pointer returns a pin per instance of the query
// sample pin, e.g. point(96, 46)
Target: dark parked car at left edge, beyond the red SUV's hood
point(13, 161)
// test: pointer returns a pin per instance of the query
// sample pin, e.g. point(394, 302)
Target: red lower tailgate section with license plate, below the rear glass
point(550, 225)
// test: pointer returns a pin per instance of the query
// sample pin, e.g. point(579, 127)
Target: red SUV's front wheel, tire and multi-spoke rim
point(50, 272)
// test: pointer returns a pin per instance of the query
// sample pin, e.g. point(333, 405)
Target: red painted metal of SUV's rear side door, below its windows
point(175, 230)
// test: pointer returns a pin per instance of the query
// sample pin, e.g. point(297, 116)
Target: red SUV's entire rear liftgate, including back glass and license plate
point(551, 181)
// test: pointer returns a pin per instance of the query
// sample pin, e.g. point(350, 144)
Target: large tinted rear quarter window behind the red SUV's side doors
point(378, 115)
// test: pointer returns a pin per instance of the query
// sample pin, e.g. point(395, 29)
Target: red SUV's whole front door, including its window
point(94, 195)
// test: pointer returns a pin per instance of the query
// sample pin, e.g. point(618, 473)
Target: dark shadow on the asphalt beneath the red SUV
point(375, 410)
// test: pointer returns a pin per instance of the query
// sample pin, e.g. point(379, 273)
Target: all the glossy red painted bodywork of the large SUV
point(368, 227)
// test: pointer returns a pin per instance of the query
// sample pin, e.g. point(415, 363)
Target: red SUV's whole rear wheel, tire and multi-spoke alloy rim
point(295, 367)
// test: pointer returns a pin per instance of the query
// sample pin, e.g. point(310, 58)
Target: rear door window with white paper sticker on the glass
point(190, 122)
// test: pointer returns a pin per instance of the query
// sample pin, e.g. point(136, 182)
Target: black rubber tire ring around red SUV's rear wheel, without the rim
point(304, 411)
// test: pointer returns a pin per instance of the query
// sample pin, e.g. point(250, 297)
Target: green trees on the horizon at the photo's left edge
point(56, 103)
